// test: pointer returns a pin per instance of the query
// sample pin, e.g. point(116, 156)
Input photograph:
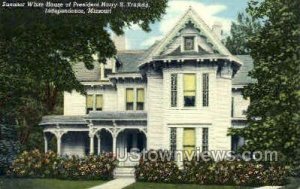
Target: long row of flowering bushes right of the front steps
point(246, 173)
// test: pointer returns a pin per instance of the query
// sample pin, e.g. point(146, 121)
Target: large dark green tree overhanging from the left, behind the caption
point(37, 52)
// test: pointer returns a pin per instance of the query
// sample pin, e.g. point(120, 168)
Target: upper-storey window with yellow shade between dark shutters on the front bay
point(189, 87)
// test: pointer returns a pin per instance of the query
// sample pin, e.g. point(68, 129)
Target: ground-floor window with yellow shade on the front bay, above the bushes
point(189, 140)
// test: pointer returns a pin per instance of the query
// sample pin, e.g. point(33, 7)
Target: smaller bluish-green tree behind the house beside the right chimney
point(240, 32)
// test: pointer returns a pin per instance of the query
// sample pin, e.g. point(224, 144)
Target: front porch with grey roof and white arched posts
point(97, 132)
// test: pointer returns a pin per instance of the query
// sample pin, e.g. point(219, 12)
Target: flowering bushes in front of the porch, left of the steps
point(34, 164)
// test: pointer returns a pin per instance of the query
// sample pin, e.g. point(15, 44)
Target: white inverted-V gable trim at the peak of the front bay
point(190, 16)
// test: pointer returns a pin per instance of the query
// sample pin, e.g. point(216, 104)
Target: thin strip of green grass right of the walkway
point(144, 185)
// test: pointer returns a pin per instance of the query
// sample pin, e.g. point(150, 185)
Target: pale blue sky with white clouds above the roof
point(211, 11)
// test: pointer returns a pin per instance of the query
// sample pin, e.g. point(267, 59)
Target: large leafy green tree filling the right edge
point(273, 114)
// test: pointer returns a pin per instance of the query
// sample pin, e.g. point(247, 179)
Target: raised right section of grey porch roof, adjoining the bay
point(121, 115)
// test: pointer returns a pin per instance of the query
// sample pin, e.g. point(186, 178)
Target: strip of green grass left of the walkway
point(45, 184)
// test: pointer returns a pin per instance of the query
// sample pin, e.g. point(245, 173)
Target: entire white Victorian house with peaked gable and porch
point(184, 92)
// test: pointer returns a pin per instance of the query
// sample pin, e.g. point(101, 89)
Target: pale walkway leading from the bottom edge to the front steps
point(118, 183)
